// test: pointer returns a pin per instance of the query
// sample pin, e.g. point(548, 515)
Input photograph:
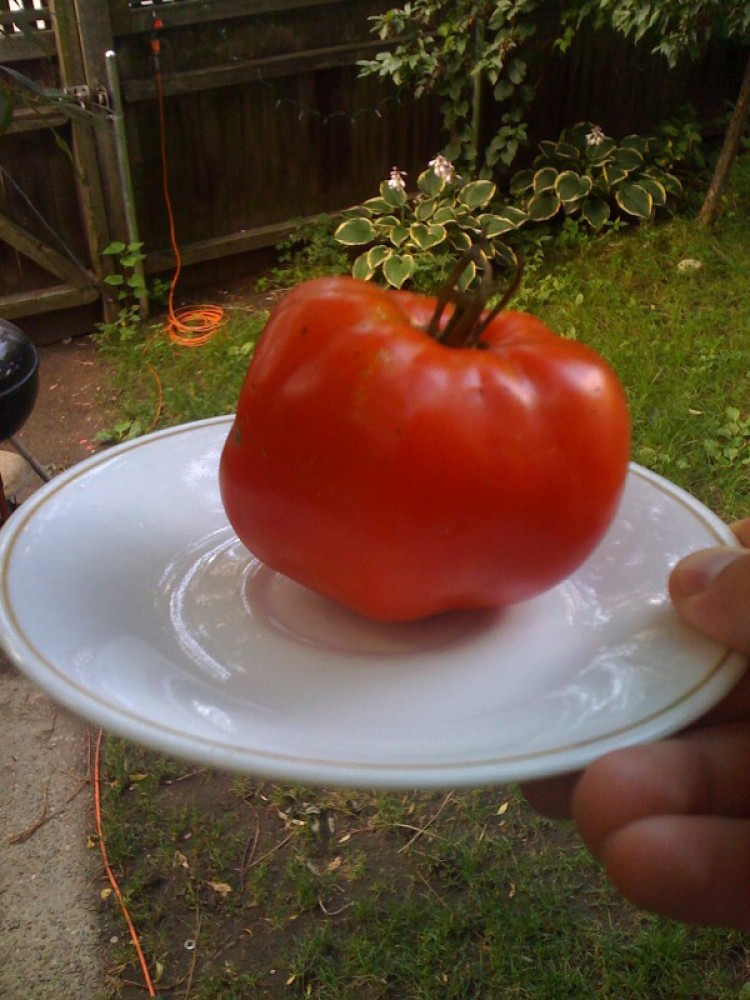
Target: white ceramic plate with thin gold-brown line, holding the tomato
point(126, 596)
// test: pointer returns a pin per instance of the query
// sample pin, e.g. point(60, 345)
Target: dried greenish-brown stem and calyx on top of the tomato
point(468, 321)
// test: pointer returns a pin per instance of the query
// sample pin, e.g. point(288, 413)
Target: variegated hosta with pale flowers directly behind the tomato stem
point(401, 230)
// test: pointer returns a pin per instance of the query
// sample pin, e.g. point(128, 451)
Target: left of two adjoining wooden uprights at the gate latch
point(88, 175)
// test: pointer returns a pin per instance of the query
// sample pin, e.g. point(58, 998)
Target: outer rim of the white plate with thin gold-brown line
point(725, 672)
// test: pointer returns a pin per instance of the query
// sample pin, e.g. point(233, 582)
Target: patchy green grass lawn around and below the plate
point(295, 892)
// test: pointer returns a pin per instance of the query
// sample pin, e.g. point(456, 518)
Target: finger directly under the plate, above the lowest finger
point(703, 772)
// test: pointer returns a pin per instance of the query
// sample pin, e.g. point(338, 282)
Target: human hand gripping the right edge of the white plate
point(670, 820)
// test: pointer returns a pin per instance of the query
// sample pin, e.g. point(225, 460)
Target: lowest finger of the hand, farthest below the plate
point(691, 868)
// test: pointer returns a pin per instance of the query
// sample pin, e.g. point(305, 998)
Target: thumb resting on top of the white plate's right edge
point(711, 590)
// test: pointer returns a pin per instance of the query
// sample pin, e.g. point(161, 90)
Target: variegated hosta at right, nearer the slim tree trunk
point(587, 174)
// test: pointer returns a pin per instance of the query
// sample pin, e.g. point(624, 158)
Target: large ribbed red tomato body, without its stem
point(401, 477)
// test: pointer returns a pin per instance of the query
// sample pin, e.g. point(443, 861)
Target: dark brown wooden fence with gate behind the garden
point(265, 120)
